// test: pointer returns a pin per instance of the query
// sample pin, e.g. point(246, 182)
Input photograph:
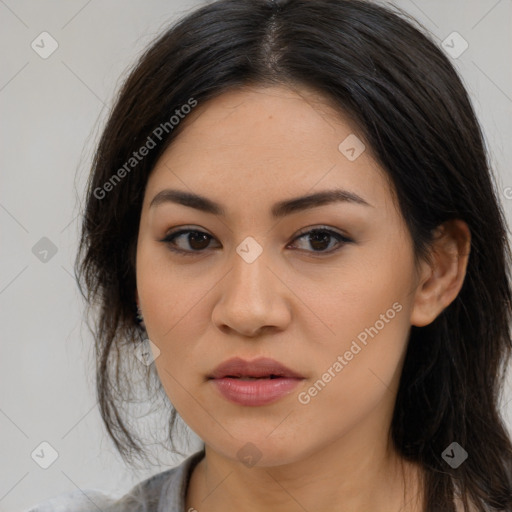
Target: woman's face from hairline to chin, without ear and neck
point(253, 283)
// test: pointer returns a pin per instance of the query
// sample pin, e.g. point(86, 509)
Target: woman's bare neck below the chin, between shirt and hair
point(344, 476)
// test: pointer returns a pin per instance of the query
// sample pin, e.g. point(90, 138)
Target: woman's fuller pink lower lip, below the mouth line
point(255, 392)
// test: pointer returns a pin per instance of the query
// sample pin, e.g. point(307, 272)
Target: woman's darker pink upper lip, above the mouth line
point(261, 367)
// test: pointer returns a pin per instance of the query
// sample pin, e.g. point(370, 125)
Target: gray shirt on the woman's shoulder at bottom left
point(163, 492)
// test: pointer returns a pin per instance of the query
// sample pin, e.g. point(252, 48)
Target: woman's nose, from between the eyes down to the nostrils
point(252, 299)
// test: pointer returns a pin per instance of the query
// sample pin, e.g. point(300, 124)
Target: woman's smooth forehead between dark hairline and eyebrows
point(266, 143)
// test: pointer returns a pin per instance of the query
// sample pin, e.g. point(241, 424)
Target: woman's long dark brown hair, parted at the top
point(413, 111)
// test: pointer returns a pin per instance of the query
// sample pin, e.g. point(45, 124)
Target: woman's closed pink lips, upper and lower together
point(227, 378)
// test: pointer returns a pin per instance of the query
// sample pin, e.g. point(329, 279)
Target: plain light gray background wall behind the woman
point(52, 111)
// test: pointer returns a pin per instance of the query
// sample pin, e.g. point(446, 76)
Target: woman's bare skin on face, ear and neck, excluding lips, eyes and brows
point(248, 149)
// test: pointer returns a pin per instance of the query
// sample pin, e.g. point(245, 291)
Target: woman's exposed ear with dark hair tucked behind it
point(441, 280)
